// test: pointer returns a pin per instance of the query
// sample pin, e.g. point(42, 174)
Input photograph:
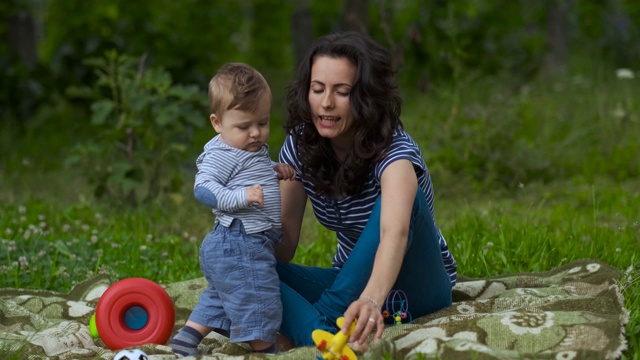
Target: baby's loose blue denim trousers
point(242, 295)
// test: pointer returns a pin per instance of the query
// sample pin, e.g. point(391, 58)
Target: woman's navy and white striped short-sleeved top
point(347, 216)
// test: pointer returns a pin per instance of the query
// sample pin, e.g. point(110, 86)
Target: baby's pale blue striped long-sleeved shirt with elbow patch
point(227, 172)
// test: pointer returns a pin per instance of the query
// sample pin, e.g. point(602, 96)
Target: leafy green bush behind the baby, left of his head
point(142, 125)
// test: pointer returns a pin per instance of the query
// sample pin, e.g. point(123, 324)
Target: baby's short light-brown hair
point(236, 86)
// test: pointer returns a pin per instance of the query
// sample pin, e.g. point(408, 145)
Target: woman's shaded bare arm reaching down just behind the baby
point(294, 201)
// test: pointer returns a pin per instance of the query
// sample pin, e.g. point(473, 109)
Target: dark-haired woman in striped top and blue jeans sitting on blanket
point(366, 180)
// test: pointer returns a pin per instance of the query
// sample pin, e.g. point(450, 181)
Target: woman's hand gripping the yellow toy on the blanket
point(367, 312)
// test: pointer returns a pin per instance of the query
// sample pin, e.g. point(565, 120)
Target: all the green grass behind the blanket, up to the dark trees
point(527, 179)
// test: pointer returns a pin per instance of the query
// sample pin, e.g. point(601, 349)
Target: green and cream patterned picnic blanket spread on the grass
point(572, 312)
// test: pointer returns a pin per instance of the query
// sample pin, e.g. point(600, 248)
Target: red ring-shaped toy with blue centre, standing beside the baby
point(131, 312)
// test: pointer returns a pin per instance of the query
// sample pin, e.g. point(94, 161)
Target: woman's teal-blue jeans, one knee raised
point(314, 297)
